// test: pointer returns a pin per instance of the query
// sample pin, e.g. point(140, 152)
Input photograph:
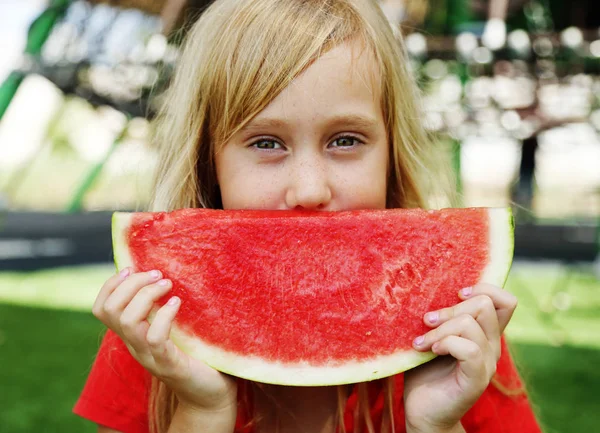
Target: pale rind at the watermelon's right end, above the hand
point(501, 246)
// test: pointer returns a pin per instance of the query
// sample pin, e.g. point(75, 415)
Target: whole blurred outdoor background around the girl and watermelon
point(512, 94)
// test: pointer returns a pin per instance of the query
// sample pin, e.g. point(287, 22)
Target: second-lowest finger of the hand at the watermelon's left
point(137, 311)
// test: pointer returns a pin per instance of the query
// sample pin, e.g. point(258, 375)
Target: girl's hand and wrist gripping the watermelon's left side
point(123, 305)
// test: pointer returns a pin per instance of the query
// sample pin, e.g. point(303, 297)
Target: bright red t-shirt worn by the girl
point(116, 396)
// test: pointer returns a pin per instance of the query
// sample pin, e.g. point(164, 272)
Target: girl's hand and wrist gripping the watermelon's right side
point(437, 394)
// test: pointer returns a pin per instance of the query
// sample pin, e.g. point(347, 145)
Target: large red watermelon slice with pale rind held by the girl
point(313, 298)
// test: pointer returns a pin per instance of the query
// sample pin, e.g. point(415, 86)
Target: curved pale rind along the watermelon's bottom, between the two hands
point(298, 374)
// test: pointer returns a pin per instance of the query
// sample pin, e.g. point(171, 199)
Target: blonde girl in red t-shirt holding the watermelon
point(296, 104)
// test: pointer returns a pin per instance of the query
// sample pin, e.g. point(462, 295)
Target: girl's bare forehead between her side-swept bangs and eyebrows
point(345, 78)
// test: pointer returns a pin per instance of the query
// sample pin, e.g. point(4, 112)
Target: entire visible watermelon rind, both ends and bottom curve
point(501, 240)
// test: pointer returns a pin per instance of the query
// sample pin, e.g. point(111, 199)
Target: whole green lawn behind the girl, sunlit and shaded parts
point(46, 352)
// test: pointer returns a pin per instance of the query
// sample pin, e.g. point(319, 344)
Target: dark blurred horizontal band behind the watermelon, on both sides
point(36, 240)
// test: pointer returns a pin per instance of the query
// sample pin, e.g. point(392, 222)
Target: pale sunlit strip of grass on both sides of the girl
point(557, 305)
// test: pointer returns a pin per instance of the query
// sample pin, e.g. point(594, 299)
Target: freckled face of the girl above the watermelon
point(321, 144)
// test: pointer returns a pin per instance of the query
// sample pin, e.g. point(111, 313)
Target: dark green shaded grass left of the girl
point(45, 357)
